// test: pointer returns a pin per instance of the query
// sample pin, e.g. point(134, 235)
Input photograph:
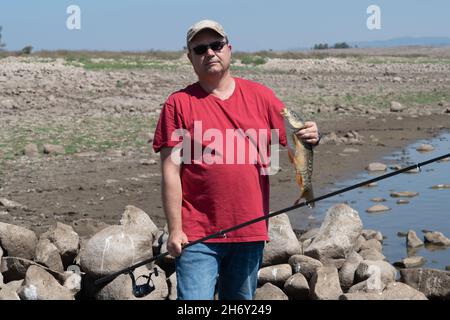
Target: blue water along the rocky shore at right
point(430, 210)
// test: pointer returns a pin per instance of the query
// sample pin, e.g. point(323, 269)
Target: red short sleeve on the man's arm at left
point(169, 121)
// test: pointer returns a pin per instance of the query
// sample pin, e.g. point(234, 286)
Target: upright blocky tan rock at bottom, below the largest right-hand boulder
point(325, 284)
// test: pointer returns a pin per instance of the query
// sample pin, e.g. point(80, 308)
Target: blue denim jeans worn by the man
point(232, 266)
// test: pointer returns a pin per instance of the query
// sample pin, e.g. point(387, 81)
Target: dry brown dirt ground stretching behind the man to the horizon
point(45, 100)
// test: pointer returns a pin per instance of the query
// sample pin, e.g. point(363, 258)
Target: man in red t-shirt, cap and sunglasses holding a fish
point(202, 197)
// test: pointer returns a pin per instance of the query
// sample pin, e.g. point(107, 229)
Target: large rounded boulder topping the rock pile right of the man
point(337, 235)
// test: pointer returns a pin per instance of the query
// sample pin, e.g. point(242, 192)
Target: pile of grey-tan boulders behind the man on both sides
point(341, 260)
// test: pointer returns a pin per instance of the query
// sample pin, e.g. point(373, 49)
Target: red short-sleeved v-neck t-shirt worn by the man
point(221, 194)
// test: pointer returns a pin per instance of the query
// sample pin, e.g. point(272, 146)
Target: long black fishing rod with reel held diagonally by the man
point(142, 290)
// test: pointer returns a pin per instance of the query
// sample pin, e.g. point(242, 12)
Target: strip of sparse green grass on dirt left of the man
point(90, 134)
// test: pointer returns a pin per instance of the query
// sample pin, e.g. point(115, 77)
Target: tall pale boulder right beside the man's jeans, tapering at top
point(283, 242)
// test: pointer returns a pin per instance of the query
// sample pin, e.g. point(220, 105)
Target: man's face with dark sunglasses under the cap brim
point(210, 62)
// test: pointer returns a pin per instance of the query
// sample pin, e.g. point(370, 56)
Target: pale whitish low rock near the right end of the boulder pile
point(382, 271)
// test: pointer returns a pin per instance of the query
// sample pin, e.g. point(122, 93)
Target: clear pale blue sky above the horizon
point(251, 24)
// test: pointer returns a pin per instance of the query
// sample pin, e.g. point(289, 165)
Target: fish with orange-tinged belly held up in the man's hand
point(300, 154)
